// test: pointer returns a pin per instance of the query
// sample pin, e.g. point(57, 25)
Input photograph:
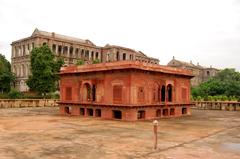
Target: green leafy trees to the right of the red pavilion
point(225, 83)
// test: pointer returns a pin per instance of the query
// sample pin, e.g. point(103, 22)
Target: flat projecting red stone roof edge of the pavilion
point(123, 65)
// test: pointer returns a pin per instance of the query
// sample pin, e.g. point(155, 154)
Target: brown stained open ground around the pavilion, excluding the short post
point(34, 133)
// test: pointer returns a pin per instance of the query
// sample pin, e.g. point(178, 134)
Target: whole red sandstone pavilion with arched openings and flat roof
point(125, 90)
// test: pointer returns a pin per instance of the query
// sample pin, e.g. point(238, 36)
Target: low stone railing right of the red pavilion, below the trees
point(217, 105)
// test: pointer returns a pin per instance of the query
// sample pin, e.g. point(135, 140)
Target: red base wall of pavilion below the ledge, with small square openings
point(128, 114)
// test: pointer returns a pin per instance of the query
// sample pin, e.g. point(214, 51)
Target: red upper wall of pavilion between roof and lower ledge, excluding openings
point(131, 83)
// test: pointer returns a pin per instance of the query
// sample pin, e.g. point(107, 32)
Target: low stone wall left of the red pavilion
point(20, 103)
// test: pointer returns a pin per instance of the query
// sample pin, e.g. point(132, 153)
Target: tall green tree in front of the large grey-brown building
point(44, 68)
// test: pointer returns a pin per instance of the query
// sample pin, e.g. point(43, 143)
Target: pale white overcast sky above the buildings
point(204, 31)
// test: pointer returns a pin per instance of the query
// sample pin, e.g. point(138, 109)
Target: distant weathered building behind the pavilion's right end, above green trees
point(201, 73)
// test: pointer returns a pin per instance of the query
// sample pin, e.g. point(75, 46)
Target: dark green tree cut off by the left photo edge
point(6, 76)
